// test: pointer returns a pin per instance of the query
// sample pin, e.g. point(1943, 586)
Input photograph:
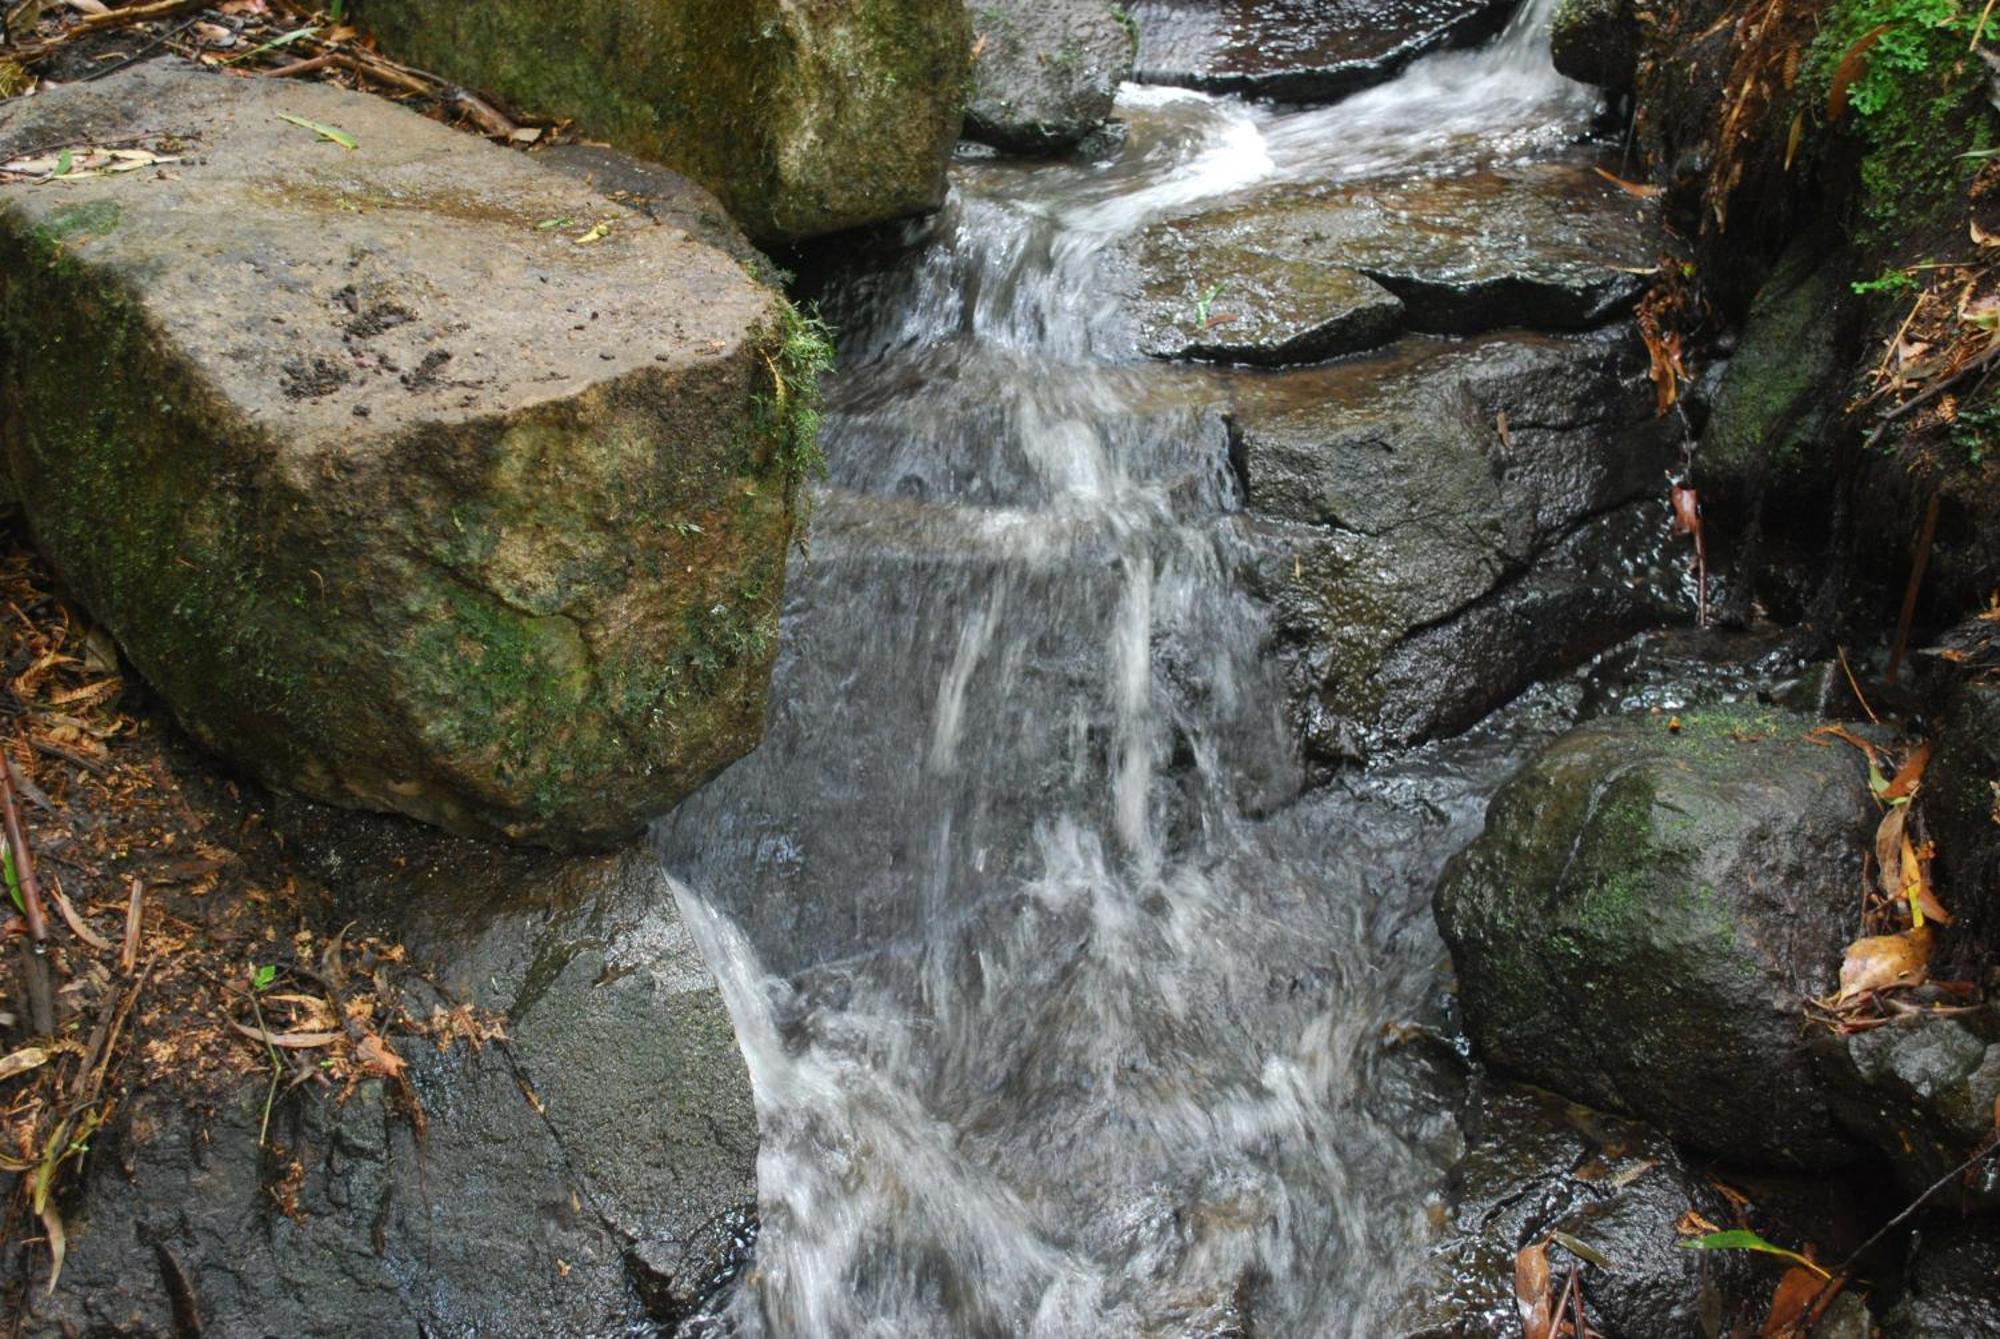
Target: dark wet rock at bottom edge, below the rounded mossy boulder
point(1537, 1164)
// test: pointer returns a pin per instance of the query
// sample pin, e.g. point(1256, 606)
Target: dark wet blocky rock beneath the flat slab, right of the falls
point(1425, 559)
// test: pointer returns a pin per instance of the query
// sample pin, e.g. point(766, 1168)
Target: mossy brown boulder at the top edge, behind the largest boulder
point(805, 119)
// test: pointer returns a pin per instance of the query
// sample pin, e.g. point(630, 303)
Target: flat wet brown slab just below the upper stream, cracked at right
point(1287, 279)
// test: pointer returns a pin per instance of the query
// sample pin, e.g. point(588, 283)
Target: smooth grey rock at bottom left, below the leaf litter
point(589, 1176)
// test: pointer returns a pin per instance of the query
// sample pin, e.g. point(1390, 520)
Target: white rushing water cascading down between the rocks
point(1067, 1010)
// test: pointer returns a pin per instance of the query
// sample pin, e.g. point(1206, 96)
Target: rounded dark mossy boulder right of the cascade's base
point(1647, 912)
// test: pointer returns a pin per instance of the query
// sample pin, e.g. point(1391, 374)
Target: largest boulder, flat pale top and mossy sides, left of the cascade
point(411, 475)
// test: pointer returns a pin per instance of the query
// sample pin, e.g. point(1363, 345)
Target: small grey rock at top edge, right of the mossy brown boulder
point(1045, 73)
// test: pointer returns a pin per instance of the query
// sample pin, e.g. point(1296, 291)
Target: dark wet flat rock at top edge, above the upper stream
point(1301, 51)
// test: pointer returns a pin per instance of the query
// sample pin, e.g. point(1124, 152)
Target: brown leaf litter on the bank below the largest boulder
point(189, 954)
